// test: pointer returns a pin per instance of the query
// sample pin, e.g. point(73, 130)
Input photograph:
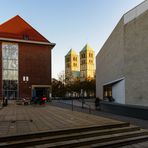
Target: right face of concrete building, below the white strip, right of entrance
point(136, 60)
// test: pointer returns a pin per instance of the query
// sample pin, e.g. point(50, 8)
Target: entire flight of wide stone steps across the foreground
point(106, 136)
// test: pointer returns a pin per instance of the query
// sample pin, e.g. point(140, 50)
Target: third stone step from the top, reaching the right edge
point(140, 136)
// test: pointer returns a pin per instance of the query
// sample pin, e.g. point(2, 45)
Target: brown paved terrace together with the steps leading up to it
point(53, 126)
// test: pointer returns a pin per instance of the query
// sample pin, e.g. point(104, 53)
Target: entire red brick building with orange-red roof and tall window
point(25, 60)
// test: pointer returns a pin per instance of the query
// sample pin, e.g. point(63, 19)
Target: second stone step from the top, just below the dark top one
point(73, 138)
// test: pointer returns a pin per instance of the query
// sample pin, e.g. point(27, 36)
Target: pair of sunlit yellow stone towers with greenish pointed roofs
point(82, 66)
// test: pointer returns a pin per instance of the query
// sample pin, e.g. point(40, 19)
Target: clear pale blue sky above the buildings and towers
point(69, 23)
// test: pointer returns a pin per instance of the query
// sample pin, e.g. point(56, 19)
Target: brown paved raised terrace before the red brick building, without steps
point(20, 119)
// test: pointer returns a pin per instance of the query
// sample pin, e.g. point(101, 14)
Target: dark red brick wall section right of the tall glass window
point(34, 62)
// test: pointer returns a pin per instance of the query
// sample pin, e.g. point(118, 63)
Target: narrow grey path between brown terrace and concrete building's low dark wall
point(78, 107)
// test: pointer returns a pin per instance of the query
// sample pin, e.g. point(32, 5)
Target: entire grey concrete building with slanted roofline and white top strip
point(124, 57)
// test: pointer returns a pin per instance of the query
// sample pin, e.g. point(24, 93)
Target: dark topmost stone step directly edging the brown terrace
point(61, 132)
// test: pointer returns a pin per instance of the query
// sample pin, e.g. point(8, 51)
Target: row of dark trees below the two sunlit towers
point(72, 85)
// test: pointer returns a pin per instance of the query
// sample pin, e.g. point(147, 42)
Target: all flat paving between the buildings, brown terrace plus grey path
point(20, 119)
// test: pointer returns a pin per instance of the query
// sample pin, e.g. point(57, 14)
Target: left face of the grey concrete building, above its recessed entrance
point(110, 60)
